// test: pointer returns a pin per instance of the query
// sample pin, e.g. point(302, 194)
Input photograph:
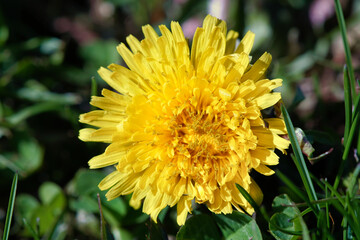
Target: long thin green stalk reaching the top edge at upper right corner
point(342, 25)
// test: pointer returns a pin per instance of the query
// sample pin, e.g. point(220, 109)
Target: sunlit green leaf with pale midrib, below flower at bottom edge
point(238, 226)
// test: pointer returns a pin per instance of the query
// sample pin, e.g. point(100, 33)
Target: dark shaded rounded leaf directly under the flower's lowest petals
point(199, 227)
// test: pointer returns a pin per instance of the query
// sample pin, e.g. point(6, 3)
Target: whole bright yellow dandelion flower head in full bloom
point(186, 125)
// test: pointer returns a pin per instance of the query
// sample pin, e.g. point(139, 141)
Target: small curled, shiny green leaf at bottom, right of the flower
point(285, 224)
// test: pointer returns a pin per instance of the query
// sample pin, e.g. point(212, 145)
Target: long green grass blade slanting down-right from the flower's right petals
point(302, 168)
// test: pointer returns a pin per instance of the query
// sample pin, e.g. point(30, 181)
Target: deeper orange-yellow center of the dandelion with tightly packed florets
point(199, 141)
